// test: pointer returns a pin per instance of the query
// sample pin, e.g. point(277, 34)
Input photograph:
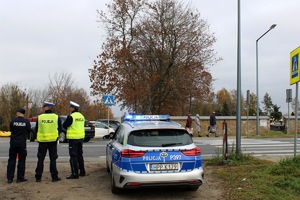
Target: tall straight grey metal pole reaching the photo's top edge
point(238, 106)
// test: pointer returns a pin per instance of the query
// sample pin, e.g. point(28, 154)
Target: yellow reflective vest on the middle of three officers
point(47, 127)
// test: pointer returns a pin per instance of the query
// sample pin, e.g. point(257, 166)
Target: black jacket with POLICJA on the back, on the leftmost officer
point(20, 129)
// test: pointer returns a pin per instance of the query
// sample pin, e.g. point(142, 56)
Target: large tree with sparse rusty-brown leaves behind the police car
point(155, 57)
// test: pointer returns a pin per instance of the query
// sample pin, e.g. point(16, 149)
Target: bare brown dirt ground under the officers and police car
point(96, 185)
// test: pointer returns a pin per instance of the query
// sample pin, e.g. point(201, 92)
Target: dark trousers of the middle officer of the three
point(42, 151)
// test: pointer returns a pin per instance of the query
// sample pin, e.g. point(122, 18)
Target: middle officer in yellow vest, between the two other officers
point(48, 127)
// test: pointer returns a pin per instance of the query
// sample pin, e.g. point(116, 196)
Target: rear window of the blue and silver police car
point(159, 138)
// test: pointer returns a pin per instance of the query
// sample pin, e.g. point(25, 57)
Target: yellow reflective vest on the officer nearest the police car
point(76, 130)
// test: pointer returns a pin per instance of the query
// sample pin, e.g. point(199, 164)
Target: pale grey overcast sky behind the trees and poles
point(40, 38)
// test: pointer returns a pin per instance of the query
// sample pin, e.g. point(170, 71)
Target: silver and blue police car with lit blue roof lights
point(153, 151)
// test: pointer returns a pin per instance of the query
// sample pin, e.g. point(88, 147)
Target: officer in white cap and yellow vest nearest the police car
point(75, 134)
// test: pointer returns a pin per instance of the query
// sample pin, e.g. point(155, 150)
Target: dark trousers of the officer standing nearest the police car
point(76, 156)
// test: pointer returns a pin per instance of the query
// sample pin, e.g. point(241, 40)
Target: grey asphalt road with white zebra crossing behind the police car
point(95, 148)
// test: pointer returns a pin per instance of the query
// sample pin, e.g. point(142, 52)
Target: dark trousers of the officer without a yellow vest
point(21, 151)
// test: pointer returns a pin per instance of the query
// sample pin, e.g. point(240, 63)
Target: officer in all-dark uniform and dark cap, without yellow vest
point(20, 128)
